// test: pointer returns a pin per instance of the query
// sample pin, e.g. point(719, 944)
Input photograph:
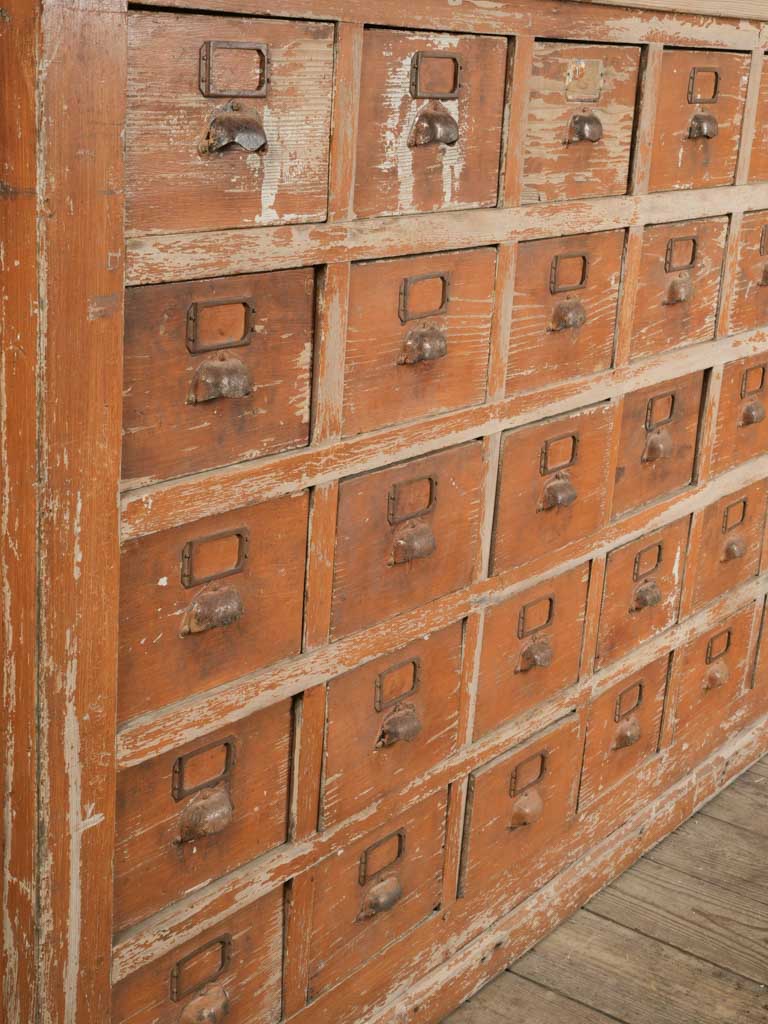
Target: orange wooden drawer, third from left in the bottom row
point(519, 808)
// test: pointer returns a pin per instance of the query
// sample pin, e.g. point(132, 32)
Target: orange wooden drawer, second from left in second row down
point(418, 338)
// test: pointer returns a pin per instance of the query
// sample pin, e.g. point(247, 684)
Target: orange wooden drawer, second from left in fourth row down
point(390, 722)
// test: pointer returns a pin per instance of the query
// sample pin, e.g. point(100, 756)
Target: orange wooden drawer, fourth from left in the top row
point(699, 119)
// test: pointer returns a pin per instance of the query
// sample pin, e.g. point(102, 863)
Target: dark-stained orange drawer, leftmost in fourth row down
point(194, 815)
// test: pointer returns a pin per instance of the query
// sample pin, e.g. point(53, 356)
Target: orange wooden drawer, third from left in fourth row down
point(532, 649)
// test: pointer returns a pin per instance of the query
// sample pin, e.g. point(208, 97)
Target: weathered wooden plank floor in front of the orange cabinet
point(681, 938)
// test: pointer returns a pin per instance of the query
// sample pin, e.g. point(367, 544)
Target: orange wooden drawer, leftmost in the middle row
point(205, 604)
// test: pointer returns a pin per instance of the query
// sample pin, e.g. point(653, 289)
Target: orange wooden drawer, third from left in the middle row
point(552, 486)
